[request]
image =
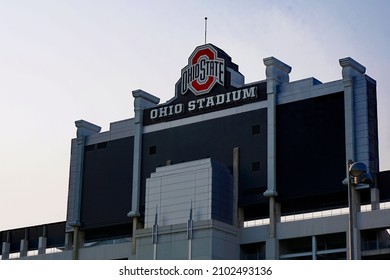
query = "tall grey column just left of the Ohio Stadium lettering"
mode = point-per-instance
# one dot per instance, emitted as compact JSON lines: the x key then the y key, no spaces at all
{"x":142,"y":100}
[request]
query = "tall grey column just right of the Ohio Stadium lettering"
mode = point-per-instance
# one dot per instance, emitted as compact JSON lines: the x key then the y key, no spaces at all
{"x":277,"y":73}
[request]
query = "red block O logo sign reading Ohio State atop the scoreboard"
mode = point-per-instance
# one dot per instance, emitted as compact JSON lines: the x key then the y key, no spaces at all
{"x":204,"y":70}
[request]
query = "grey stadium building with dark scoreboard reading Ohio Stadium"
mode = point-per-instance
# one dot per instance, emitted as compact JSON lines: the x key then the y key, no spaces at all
{"x":227,"y":170}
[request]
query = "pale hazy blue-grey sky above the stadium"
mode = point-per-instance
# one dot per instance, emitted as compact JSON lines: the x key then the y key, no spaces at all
{"x":62,"y":61}
